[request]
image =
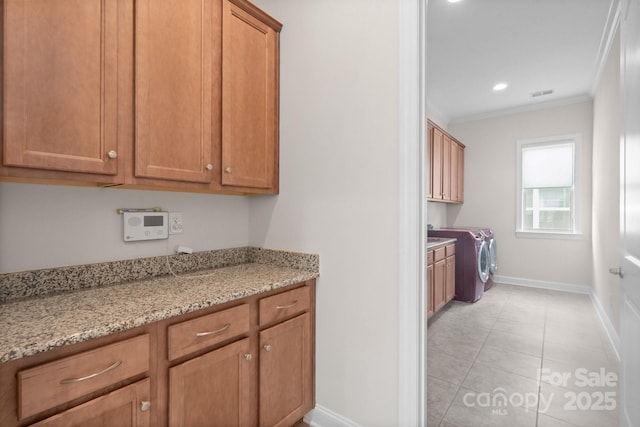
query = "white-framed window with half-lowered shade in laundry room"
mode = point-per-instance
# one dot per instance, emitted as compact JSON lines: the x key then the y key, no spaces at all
{"x":548,"y":186}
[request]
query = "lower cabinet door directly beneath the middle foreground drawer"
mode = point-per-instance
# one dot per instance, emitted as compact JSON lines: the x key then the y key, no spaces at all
{"x":212,"y":389}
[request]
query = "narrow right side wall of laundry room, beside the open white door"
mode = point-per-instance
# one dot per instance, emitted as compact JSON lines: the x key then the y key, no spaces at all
{"x":606,"y":186}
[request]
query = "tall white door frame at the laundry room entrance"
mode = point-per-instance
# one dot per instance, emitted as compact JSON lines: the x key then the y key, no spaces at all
{"x":412,"y":310}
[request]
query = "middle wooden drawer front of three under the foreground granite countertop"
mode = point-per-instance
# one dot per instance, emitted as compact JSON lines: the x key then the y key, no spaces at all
{"x":202,"y":332}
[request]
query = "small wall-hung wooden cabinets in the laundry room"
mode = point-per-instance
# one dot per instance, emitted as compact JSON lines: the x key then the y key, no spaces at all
{"x":446,"y":166}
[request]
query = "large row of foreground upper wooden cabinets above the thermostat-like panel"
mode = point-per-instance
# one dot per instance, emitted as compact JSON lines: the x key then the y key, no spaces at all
{"x":167,"y":95}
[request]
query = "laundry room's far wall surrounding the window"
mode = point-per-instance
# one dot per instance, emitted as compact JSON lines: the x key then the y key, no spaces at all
{"x":490,"y":192}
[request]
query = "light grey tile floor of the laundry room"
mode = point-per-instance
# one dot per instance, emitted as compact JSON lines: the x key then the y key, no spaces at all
{"x":521,"y":357}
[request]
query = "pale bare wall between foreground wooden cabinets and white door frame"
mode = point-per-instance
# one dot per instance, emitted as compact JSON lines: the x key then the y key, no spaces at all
{"x":339,"y":192}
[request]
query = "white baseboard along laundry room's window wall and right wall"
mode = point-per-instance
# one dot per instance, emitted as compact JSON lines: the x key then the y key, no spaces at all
{"x":570,"y":287}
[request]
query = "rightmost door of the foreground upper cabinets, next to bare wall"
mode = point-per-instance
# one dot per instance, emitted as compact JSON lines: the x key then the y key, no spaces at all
{"x":249,"y":97}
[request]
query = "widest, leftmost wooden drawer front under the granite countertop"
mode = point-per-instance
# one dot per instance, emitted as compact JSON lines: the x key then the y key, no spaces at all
{"x":46,"y":386}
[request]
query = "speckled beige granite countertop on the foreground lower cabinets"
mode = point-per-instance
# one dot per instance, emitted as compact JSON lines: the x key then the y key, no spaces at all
{"x":39,"y":323}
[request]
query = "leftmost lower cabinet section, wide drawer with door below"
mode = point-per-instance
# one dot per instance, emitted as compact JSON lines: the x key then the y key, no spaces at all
{"x":106,"y":382}
